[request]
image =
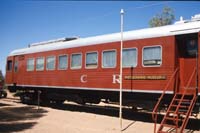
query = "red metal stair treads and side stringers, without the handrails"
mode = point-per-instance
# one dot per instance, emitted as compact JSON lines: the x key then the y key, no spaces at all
{"x":178,"y":113}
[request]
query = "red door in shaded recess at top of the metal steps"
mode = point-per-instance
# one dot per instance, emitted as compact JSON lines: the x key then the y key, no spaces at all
{"x":187,"y":58}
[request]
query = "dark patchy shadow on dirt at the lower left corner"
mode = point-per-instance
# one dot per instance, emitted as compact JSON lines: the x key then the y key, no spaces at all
{"x":12,"y":119}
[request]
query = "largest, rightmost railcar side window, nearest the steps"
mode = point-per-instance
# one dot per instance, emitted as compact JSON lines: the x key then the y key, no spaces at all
{"x":152,"y":56}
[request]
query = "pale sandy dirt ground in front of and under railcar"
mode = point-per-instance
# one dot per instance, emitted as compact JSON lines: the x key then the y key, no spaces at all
{"x":73,"y":118}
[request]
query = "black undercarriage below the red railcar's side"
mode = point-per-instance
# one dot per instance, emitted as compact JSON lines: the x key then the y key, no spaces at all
{"x":134,"y":100}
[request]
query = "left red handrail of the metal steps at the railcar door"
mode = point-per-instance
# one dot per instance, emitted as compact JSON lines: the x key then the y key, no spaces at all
{"x":154,"y":113}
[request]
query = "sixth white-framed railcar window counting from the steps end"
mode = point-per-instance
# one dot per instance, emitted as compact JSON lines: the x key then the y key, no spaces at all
{"x":62,"y":62}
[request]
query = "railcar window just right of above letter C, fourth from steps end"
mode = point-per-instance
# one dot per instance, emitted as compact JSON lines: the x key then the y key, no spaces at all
{"x":91,"y":60}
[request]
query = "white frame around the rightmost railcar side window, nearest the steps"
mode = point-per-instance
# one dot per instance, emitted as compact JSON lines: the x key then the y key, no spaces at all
{"x":152,"y":46}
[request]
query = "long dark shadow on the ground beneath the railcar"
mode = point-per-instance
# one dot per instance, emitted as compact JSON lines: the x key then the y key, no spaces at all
{"x":128,"y":114}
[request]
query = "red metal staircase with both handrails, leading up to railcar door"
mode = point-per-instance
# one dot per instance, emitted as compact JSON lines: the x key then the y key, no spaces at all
{"x":179,"y":110}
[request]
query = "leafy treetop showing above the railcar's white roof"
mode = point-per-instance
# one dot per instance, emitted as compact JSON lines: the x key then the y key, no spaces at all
{"x":165,"y":18}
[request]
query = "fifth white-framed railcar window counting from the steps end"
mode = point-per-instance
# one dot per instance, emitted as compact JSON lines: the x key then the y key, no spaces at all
{"x":76,"y":61}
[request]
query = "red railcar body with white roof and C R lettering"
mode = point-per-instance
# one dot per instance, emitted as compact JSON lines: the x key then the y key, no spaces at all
{"x":87,"y":69}
